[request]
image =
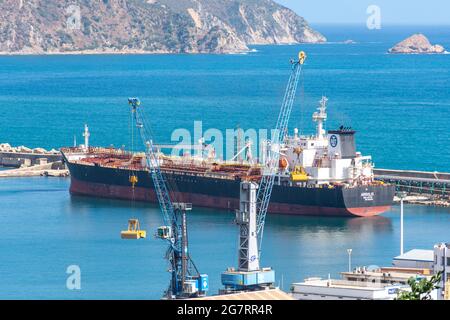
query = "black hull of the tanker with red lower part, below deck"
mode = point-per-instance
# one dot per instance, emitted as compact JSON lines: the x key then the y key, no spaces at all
{"x":223,"y":193}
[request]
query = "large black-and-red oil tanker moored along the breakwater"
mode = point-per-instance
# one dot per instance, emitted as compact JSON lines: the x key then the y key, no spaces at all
{"x":318,"y":175}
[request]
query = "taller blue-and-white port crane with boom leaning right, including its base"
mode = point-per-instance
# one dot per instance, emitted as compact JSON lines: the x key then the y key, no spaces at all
{"x":254,"y":202}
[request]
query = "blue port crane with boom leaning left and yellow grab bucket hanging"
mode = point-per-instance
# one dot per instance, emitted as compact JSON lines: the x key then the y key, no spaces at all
{"x":186,"y":281}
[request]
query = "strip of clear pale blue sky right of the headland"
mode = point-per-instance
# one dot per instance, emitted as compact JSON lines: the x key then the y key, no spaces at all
{"x":417,"y":12}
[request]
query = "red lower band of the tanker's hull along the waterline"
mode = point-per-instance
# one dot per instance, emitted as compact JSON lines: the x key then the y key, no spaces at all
{"x":201,"y":200}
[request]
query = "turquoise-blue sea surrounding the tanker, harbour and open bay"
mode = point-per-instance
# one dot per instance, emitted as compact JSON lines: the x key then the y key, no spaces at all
{"x":400,"y":106}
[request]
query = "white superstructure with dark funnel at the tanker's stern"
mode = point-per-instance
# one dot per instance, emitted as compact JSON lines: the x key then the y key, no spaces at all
{"x":326,"y":157}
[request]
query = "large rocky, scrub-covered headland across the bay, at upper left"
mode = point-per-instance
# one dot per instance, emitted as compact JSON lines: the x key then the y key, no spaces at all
{"x":147,"y":26}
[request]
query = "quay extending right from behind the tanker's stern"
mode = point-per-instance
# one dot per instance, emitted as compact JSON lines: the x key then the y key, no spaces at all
{"x":422,"y":187}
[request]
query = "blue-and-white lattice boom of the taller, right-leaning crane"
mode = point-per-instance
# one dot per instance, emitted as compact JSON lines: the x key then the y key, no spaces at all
{"x":271,"y":165}
